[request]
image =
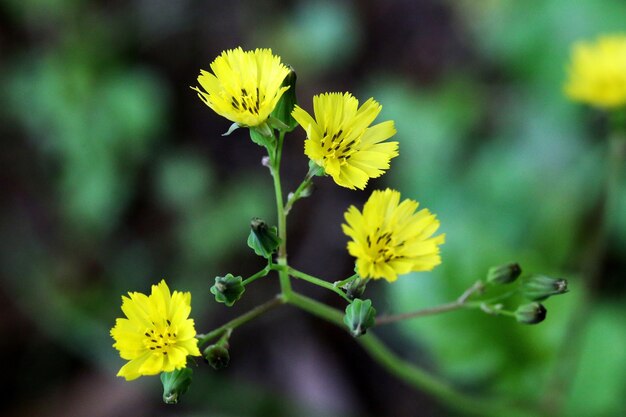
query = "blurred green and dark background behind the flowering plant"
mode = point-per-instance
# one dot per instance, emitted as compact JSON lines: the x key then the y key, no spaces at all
{"x":114,"y":175}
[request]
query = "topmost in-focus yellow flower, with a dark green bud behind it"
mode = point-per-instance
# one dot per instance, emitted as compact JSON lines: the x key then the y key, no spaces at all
{"x":245,"y":86}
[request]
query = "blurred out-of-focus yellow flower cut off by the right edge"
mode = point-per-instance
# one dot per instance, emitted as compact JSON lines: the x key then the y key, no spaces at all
{"x":597,"y":72}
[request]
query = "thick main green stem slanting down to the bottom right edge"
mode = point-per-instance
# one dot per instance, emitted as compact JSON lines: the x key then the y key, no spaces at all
{"x":408,"y":372}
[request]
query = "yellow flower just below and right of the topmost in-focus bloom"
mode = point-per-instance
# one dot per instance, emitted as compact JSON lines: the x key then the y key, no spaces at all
{"x":340,"y":140}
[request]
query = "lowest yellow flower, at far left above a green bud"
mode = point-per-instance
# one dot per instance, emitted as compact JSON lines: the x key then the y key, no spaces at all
{"x":158,"y":334}
